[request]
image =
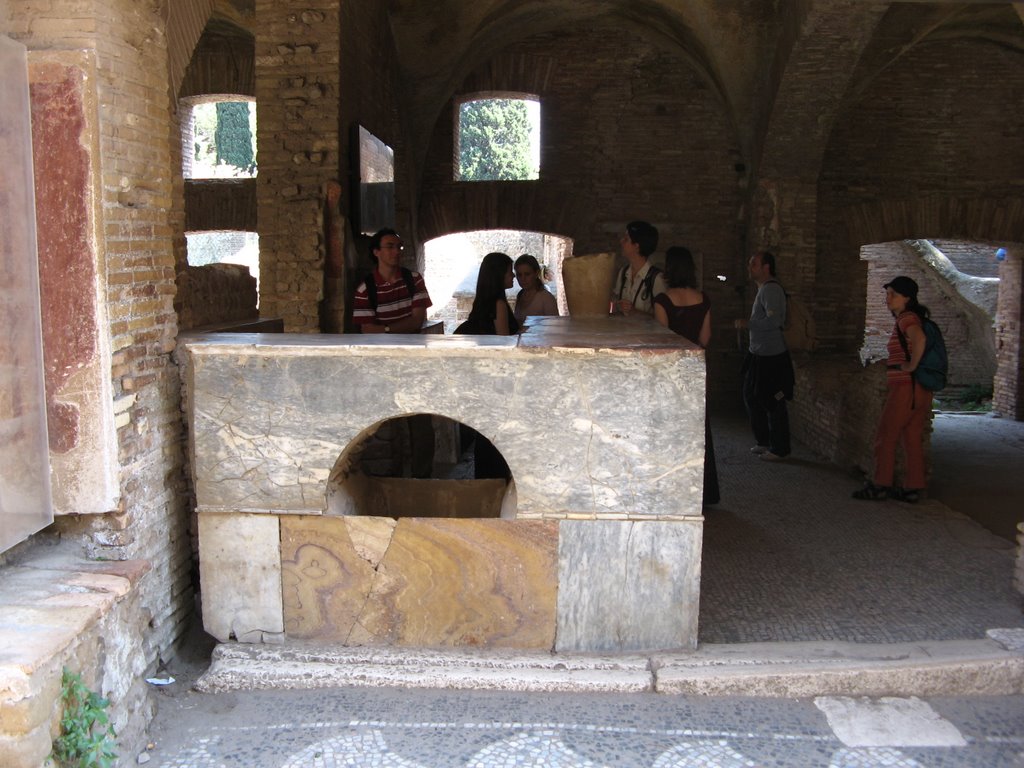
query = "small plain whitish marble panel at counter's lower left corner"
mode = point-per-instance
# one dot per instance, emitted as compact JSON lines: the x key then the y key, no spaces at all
{"x":240,"y":571}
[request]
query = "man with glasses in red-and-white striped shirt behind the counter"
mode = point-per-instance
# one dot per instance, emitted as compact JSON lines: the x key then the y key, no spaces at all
{"x":394,"y":301}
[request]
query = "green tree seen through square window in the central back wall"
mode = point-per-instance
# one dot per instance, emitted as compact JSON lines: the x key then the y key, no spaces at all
{"x":495,"y":141}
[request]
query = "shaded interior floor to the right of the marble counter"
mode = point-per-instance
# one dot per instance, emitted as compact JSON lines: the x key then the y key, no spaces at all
{"x":790,"y":557}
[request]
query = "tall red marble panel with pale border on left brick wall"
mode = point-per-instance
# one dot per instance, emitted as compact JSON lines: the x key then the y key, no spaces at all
{"x":73,"y":283}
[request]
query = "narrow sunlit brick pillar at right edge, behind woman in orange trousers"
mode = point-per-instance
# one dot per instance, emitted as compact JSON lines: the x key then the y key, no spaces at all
{"x":1008,"y":398}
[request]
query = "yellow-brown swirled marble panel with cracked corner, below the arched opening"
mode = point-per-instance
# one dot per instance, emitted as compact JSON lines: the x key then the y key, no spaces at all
{"x":416,"y":582}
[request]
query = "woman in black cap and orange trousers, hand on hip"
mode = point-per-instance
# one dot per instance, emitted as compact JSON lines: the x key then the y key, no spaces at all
{"x":908,"y":404}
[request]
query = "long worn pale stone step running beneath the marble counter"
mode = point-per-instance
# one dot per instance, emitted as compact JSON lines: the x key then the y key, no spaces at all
{"x":993,"y":667}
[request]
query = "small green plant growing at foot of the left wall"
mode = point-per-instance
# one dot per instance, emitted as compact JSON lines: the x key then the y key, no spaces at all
{"x":87,"y":739}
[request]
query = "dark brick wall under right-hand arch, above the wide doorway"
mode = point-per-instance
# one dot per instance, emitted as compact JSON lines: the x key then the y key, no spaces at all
{"x":910,"y":148}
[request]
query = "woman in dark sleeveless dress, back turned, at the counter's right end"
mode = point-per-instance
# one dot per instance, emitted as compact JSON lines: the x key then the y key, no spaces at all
{"x":687,"y":310}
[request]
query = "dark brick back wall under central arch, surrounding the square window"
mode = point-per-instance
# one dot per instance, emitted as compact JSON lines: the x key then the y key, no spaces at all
{"x":628,"y":132}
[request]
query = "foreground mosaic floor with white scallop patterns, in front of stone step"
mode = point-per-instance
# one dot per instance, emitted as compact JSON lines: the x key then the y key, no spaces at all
{"x":309,"y":730}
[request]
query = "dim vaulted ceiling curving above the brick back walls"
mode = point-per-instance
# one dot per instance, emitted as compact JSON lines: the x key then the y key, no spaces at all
{"x":775,"y":64}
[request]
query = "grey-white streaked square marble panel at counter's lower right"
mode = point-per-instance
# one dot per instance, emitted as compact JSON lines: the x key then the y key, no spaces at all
{"x":628,"y":586}
